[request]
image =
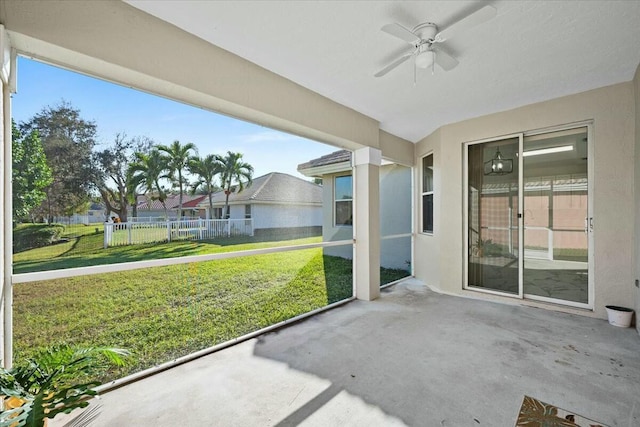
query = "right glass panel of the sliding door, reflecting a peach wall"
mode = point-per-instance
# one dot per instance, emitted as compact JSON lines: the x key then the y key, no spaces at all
{"x":555,"y":216}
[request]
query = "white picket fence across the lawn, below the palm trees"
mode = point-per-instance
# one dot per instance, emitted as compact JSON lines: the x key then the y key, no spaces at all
{"x":132,"y":233}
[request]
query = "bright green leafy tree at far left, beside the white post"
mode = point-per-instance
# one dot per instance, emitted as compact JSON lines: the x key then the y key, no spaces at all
{"x":30,"y":172}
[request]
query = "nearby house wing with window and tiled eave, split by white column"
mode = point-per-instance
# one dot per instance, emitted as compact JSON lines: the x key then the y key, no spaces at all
{"x":335,"y":170}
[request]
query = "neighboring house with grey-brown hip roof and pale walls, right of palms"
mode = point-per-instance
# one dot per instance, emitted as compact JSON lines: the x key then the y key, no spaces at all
{"x":275,"y":201}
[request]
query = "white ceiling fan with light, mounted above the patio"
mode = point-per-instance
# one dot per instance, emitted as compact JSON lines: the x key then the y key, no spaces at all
{"x":425,"y":39}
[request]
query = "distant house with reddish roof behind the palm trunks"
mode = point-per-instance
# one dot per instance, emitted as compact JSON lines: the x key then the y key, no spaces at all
{"x":150,"y":208}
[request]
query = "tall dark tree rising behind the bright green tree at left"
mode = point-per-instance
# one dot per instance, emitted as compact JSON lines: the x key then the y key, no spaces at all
{"x":68,"y":141}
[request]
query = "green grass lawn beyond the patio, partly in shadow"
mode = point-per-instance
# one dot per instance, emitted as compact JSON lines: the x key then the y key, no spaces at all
{"x":166,"y":312}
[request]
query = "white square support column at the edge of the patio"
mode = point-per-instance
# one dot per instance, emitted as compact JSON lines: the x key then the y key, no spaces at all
{"x":367,"y":223}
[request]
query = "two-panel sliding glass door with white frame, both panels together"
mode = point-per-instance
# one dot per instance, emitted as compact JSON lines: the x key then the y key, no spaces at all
{"x":528,"y":223}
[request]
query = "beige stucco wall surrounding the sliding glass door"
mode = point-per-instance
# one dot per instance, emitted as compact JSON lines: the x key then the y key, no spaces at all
{"x":612,"y":111}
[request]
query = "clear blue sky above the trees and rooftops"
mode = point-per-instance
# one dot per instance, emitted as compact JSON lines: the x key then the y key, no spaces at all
{"x":117,"y":109}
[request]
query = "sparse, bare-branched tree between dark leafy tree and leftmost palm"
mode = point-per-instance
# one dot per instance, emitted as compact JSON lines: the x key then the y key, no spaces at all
{"x":112,"y":178}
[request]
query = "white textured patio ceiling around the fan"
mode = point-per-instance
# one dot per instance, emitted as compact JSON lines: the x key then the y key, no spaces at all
{"x":532,"y":51}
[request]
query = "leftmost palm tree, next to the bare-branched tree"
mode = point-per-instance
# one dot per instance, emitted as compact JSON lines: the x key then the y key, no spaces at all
{"x":146,"y":172}
